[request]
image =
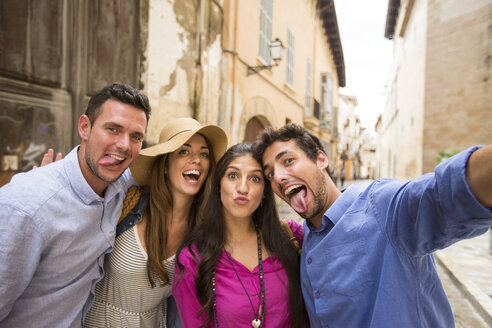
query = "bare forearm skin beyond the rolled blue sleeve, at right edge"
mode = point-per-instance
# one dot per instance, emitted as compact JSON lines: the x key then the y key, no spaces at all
{"x":479,"y":175}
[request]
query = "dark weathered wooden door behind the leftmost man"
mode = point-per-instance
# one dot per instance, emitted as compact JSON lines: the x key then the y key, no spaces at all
{"x":54,"y":54}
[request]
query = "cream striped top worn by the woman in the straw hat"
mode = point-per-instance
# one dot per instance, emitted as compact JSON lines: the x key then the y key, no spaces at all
{"x":124,"y":297}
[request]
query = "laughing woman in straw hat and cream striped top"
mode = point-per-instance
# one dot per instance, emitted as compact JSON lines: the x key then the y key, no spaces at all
{"x":155,"y":219}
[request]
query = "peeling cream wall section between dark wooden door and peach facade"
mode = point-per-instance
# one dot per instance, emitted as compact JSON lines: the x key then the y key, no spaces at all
{"x":182,"y":64}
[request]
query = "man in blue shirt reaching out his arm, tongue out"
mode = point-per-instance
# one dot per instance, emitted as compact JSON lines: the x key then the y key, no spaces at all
{"x":367,"y":258}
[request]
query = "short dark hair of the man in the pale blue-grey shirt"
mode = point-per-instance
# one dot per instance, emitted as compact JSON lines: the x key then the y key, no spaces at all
{"x":120,"y":92}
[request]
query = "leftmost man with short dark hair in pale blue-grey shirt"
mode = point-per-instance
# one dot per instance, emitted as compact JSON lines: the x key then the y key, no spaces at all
{"x":58,"y":221}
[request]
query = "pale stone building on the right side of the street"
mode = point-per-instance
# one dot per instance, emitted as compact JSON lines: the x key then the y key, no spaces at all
{"x":439,"y":89}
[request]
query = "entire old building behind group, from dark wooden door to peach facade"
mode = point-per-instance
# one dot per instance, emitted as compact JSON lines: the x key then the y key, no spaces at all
{"x":208,"y":59}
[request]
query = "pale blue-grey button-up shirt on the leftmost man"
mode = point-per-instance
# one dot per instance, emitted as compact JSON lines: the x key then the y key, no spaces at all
{"x":54,"y":232}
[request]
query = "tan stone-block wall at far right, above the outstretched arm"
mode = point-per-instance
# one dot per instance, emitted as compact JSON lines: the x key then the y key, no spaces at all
{"x":458,"y":100}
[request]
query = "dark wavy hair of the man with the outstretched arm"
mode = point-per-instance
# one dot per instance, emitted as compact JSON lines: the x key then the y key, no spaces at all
{"x":305,"y":140}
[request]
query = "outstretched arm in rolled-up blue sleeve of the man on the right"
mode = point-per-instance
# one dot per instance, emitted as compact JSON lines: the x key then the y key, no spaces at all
{"x":437,"y":210}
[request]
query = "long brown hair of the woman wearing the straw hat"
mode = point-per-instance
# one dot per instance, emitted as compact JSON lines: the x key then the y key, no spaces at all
{"x":161,"y":204}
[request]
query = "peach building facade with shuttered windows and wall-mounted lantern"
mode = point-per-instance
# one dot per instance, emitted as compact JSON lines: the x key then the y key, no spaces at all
{"x":302,"y":87}
